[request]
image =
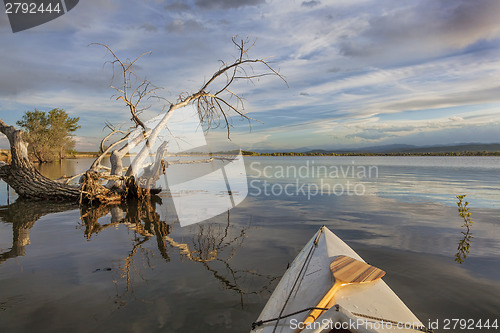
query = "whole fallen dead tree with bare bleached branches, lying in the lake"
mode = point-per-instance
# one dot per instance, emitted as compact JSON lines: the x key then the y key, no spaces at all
{"x":215,"y":103}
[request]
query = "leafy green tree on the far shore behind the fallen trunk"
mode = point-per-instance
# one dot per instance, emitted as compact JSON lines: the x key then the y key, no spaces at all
{"x":49,"y":135}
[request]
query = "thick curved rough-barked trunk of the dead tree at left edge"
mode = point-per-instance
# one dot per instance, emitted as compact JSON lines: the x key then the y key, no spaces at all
{"x":24,"y":178}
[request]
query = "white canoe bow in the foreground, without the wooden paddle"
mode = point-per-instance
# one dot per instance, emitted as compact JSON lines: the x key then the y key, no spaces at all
{"x":311,"y":271}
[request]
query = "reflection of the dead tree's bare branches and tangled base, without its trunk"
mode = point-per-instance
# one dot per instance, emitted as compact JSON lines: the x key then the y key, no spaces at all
{"x":214,"y":246}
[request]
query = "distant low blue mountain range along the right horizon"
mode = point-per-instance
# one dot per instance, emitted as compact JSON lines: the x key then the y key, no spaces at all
{"x":400,"y":148}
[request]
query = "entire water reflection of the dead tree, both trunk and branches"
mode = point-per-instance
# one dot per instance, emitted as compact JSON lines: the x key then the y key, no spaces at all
{"x":211,"y":245}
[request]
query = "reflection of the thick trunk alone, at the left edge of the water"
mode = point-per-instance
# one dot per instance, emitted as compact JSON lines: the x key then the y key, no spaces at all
{"x":23,"y":214}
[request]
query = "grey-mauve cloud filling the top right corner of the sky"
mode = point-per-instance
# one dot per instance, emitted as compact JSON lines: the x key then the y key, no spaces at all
{"x":425,"y":28}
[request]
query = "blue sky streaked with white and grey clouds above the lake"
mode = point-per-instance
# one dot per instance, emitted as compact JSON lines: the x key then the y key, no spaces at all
{"x":359,"y":72}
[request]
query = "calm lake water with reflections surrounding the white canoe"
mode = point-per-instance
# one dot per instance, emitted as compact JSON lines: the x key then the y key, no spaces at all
{"x":134,"y":269}
